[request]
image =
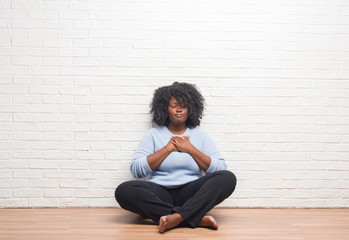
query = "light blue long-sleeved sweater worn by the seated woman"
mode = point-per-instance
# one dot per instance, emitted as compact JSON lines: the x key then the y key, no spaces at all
{"x":178,"y":168}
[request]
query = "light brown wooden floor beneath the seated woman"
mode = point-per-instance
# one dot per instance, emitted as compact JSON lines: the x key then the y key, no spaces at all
{"x":115,"y":223}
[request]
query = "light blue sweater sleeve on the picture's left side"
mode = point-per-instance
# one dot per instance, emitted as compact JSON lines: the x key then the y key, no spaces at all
{"x":139,"y":165}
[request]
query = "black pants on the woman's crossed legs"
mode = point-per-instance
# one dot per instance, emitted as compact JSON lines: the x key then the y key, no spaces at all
{"x":192,"y":201}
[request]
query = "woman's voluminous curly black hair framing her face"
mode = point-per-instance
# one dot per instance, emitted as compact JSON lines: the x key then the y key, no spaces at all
{"x":186,"y":94}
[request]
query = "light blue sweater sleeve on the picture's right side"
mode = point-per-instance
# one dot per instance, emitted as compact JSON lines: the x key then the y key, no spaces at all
{"x":217,"y":161}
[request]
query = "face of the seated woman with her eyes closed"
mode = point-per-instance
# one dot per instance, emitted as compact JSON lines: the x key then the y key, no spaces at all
{"x":177,"y":113}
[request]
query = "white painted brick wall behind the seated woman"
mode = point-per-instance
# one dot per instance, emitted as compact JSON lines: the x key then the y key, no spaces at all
{"x":76,"y":79}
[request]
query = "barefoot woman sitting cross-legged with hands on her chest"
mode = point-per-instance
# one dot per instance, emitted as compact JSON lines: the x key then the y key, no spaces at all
{"x":184,"y":173}
